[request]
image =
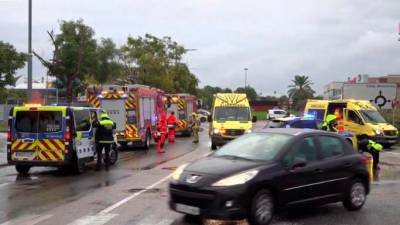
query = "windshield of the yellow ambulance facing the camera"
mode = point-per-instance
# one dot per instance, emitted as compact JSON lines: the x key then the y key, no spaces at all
{"x":232,"y":114}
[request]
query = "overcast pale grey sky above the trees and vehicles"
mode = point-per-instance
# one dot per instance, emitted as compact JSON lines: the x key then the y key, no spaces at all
{"x":326,"y":40}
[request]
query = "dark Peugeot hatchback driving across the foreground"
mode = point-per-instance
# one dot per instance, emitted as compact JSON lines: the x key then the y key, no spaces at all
{"x":260,"y":173}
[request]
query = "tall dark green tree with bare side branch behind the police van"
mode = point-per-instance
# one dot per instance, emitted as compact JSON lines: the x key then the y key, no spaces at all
{"x":74,"y":55}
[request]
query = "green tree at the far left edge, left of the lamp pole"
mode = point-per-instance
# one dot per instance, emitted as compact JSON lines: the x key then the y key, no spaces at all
{"x":10,"y":62}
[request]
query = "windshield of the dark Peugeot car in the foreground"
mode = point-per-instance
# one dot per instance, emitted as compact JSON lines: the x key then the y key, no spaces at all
{"x":256,"y":146}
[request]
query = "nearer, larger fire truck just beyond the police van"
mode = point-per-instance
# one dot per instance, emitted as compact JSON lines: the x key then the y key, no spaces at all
{"x":134,"y":108}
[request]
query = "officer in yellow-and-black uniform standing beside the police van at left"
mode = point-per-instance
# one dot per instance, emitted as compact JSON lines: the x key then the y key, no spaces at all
{"x":104,"y":138}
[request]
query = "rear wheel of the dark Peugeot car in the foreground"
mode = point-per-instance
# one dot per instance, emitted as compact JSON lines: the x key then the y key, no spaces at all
{"x":356,"y":196}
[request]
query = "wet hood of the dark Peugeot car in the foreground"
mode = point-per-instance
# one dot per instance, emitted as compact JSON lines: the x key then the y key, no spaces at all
{"x":220,"y":166}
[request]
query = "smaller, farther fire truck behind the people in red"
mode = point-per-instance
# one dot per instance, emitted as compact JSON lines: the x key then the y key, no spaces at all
{"x":183,"y":105}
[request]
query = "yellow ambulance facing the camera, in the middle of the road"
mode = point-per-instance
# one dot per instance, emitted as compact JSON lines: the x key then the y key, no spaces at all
{"x":230,"y":117}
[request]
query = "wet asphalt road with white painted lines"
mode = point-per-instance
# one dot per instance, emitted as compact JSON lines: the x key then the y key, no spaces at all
{"x":134,"y":192}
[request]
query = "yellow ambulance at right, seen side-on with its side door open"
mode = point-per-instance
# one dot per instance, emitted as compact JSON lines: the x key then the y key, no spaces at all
{"x":359,"y":117}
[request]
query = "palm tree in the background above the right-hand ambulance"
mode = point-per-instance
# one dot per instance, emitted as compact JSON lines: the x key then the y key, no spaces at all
{"x":301,"y":87}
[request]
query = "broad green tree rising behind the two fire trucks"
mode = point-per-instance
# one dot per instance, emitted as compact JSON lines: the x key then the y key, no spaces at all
{"x":157,"y":62}
